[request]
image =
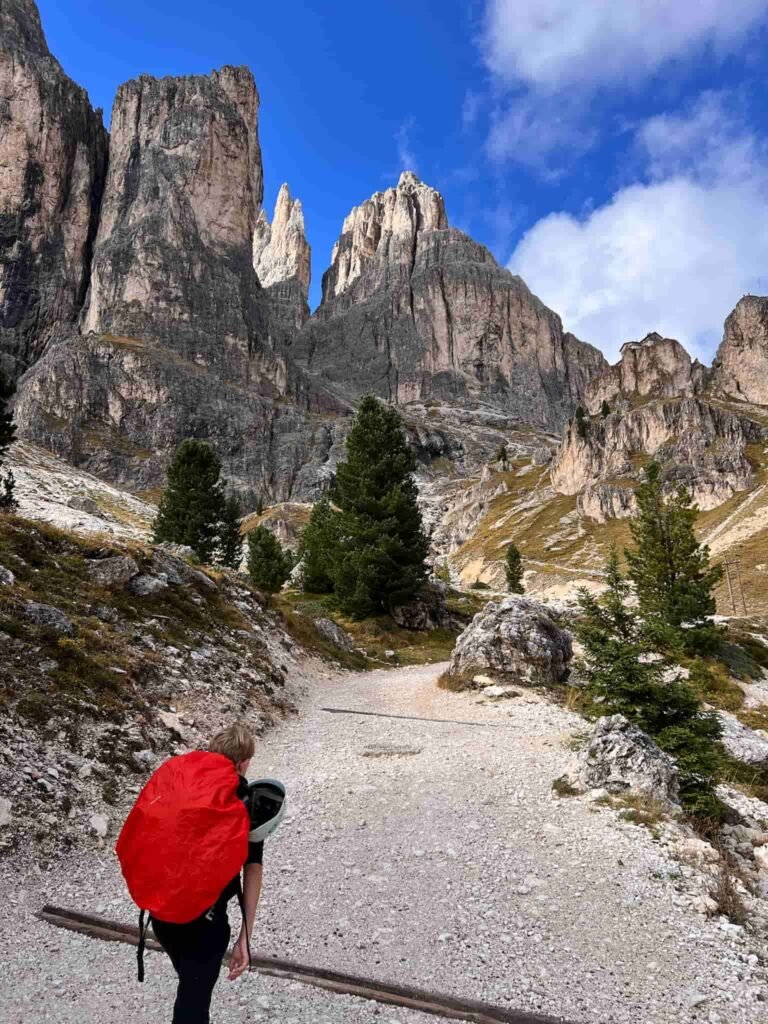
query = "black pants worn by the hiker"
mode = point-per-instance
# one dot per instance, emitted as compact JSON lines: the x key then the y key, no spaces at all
{"x":196,"y":951}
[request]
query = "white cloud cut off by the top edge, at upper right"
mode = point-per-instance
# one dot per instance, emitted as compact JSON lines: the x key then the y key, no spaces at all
{"x":551,"y":45}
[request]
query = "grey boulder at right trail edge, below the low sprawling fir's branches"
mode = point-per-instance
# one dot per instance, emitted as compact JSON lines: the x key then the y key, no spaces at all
{"x":620,"y":757}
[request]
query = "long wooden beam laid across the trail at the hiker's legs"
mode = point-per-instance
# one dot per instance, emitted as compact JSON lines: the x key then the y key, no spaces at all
{"x":388,"y":993}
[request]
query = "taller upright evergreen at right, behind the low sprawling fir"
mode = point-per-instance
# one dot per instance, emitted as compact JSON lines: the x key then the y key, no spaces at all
{"x":670,"y":569}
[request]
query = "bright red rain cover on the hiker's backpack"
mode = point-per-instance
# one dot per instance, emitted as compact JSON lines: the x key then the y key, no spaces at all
{"x":187,"y":837}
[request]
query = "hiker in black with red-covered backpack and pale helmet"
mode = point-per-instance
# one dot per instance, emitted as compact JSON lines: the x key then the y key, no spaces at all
{"x":195,"y":826}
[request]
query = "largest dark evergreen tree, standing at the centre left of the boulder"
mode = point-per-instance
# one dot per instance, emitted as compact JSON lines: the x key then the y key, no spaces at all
{"x":382,"y":545}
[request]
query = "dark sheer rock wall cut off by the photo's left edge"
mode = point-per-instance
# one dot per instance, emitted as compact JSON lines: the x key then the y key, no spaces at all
{"x":53,"y":165}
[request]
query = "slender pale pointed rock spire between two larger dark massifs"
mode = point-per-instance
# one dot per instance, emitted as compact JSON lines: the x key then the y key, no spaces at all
{"x":281,"y":250}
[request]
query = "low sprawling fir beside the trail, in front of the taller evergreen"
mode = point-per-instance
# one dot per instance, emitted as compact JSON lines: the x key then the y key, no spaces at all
{"x":627,"y":676}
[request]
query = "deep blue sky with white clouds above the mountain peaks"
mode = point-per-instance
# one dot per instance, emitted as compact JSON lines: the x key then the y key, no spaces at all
{"x":615,"y":155}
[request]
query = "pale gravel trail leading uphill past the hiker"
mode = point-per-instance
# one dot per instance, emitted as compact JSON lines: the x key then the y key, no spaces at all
{"x":430,"y":854}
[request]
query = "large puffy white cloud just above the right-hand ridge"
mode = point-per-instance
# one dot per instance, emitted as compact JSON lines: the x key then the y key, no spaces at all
{"x":672,"y":255}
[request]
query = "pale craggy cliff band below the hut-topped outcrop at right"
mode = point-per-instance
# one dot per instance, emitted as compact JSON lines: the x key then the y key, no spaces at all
{"x":699,"y":445}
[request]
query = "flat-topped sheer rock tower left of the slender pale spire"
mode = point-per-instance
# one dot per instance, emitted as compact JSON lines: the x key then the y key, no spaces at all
{"x":173,"y":260}
